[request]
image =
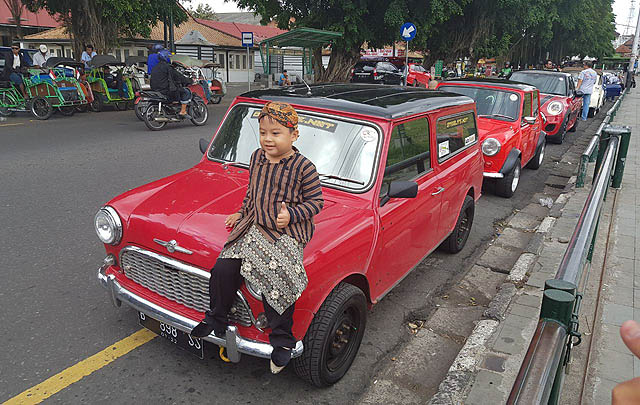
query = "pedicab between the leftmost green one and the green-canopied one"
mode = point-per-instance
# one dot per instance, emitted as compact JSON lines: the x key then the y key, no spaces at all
{"x":66,"y":74}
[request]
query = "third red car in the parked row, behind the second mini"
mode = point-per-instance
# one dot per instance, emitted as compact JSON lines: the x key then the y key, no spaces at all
{"x":560,"y":103}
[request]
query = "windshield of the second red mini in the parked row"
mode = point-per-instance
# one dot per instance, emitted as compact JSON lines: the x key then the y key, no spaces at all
{"x":499,"y":104}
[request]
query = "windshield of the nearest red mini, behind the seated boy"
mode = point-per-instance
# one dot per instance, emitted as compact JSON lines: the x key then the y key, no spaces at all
{"x":337,"y":147}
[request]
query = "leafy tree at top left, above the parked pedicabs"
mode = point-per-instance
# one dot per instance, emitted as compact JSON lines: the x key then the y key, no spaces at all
{"x":104,"y":23}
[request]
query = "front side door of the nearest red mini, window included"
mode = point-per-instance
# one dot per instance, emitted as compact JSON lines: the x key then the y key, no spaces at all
{"x":408,"y":226}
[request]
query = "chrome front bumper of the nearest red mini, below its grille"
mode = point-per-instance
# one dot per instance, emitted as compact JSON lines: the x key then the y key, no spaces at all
{"x":235,"y":344}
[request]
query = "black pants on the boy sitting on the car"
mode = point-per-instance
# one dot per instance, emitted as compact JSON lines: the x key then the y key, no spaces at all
{"x":223,"y":284}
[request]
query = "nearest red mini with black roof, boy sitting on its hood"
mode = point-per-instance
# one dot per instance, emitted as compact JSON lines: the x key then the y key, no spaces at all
{"x":401,"y":171}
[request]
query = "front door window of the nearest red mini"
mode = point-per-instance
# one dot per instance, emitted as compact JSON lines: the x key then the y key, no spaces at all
{"x":408,"y":155}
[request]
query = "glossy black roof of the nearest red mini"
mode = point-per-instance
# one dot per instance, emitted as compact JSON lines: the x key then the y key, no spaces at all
{"x":388,"y":102}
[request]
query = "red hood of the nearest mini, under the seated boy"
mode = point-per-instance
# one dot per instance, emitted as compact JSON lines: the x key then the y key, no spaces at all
{"x":191,"y":207}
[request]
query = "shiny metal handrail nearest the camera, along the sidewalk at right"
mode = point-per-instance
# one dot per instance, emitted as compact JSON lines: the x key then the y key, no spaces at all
{"x":535,"y":378}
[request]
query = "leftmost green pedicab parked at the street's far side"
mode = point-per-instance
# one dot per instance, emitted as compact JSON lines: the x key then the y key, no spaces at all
{"x":45,"y":91}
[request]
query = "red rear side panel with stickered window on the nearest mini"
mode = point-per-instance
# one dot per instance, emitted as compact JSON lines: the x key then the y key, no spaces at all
{"x":456,"y":153}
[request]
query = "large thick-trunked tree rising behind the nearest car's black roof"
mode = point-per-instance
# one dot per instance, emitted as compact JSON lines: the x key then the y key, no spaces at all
{"x":376,"y":22}
